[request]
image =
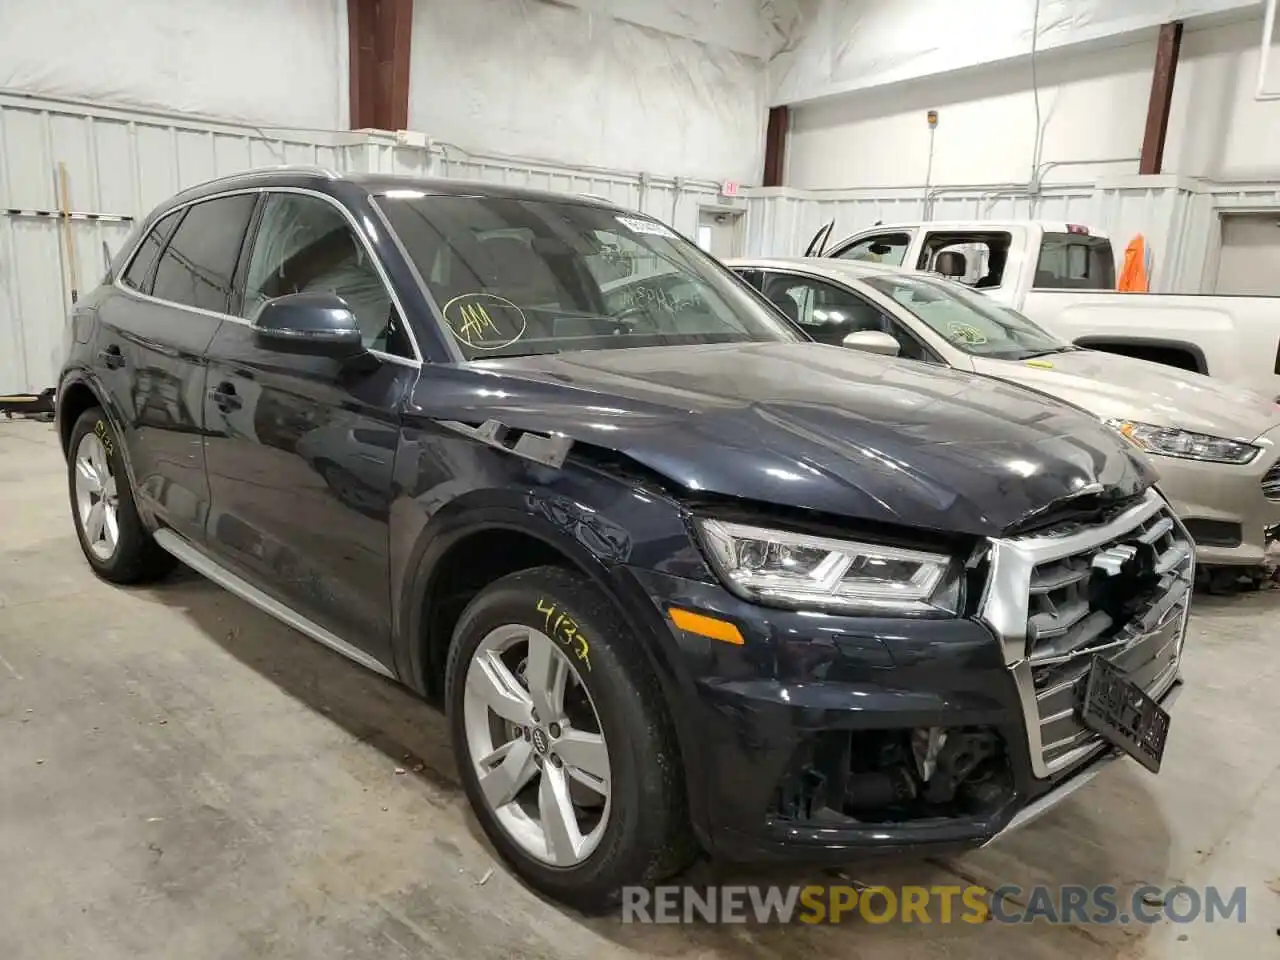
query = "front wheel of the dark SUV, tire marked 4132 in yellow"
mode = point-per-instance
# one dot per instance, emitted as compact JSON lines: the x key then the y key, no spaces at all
{"x":644,"y":834}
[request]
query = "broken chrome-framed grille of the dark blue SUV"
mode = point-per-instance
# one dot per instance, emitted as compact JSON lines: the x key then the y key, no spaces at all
{"x":1052,"y":623}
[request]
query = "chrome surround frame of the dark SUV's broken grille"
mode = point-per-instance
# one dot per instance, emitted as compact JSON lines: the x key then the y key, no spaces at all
{"x":1004,"y":607}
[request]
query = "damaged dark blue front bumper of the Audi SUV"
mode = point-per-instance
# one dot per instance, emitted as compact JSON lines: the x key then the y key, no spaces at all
{"x":767,"y":714}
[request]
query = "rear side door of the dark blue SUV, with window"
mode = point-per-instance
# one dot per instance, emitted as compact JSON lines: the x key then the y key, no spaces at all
{"x":171,"y":303}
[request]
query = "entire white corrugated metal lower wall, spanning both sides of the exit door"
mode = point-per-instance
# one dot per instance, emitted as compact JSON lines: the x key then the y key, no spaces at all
{"x":122,"y":163}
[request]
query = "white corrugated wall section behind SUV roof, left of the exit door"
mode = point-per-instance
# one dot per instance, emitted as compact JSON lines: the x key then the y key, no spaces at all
{"x":124,"y":163}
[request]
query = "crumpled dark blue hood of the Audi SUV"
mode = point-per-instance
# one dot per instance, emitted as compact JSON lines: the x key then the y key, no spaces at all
{"x":810,"y":427}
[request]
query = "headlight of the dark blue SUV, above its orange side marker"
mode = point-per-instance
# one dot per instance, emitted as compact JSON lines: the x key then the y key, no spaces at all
{"x":784,"y":569}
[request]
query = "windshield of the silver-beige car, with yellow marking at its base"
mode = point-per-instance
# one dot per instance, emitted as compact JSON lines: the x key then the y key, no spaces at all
{"x":971,"y":322}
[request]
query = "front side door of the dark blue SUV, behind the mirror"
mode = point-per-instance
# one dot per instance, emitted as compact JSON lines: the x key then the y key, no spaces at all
{"x":301,"y":449}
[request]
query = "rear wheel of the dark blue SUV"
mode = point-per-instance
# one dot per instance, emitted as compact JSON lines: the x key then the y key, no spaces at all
{"x":134,"y":556}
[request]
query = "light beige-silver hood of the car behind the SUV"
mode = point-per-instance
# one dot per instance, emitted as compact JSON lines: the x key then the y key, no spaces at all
{"x":1110,"y":386}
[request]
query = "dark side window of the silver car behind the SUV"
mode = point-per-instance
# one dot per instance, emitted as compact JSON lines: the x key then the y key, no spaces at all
{"x":829,"y":313}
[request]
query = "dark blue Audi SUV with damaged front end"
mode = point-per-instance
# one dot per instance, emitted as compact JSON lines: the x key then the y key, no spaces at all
{"x":682,"y":578}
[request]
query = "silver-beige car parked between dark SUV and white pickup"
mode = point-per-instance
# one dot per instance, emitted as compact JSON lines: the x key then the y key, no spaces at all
{"x":1217,"y":447}
